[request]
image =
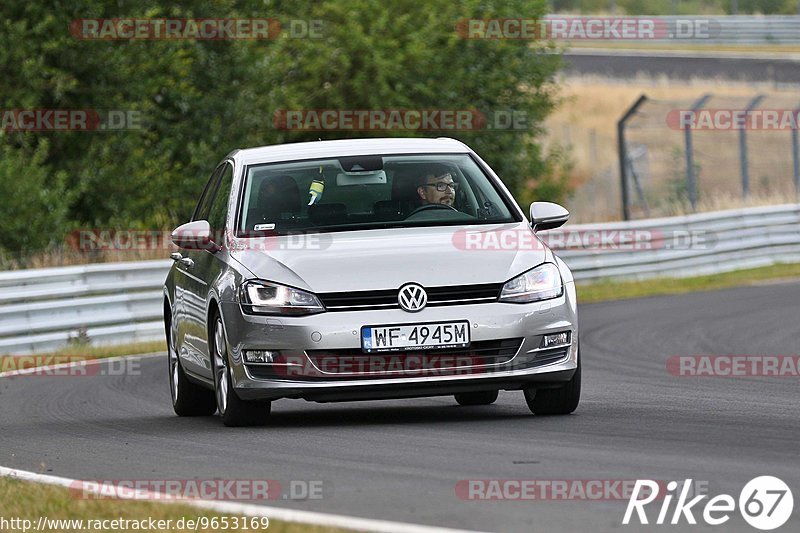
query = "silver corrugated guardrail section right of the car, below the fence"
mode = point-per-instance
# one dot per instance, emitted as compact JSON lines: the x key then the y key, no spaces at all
{"x":692,"y":245}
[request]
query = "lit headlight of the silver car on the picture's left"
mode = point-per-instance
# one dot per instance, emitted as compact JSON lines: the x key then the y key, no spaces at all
{"x":266,"y":298}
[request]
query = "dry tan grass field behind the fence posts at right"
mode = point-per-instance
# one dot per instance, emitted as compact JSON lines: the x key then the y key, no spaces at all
{"x":586,"y":121}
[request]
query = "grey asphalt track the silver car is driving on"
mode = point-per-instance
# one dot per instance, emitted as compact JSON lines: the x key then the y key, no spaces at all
{"x":401,"y":460}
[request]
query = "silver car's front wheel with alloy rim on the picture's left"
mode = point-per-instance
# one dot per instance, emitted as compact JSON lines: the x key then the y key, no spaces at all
{"x":234,"y":411}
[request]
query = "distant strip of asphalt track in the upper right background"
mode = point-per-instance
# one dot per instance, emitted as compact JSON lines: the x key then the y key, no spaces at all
{"x":776,"y":68}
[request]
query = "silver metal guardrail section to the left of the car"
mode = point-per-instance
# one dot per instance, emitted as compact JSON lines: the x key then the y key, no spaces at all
{"x":41,"y":309}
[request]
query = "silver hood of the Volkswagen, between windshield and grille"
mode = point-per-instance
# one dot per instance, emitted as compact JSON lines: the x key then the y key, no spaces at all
{"x":388,"y":258}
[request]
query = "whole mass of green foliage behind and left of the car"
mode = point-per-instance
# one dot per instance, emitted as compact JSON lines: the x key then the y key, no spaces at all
{"x":198,"y":100}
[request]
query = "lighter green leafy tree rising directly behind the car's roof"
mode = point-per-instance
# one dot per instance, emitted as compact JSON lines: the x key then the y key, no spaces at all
{"x":404,"y":54}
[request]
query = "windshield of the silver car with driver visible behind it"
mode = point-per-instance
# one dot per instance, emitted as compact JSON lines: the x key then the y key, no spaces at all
{"x":366,"y":192}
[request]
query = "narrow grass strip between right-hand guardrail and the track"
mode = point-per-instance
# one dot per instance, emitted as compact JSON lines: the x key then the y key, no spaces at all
{"x":620,"y":290}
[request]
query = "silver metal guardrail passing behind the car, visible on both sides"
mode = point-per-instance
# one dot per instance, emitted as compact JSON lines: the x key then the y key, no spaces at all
{"x":121,"y":302}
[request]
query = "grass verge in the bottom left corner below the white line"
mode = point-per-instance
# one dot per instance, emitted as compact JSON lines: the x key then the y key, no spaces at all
{"x":29,"y":501}
